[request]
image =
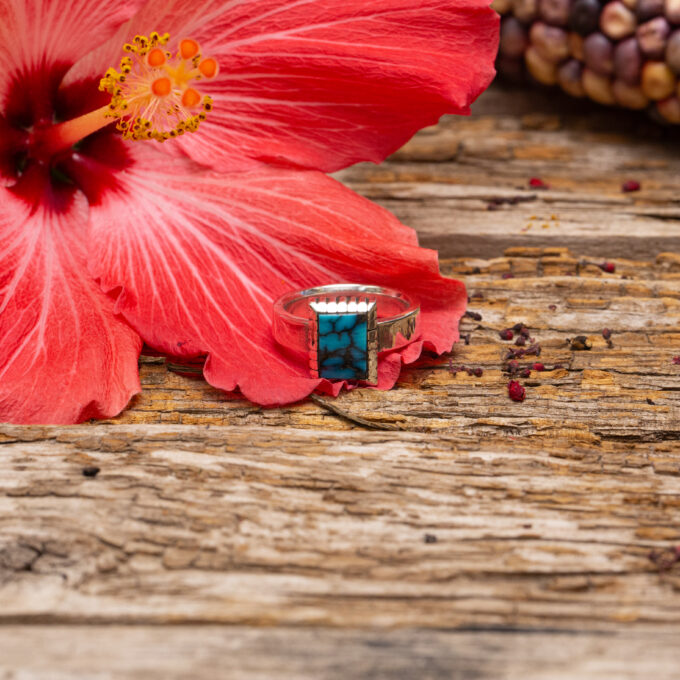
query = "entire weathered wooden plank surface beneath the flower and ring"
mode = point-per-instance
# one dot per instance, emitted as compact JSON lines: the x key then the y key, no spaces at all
{"x":439,"y":530}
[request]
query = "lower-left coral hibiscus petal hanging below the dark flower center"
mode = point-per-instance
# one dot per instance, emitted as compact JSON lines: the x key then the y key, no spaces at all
{"x":64,"y":357}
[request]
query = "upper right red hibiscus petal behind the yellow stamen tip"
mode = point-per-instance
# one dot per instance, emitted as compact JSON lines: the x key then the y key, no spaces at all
{"x":325,"y":83}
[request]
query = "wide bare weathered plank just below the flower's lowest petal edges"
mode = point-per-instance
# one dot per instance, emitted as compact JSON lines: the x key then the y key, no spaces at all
{"x":269,"y":526}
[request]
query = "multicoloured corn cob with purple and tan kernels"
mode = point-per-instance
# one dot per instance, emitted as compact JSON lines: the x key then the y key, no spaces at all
{"x":618,"y":52}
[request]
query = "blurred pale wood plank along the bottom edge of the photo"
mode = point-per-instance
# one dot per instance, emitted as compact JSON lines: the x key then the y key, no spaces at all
{"x":238,"y":653}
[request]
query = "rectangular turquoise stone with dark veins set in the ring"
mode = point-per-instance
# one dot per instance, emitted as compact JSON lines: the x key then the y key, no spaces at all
{"x":343,"y":346}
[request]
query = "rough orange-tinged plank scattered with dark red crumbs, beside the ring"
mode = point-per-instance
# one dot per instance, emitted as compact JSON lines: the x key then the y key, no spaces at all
{"x":599,"y":395}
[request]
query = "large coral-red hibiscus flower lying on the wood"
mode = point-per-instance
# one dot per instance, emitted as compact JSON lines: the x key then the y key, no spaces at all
{"x":109,"y":239}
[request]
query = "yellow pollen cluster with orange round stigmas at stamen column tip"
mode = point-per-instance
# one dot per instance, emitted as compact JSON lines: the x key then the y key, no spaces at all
{"x":152,"y":92}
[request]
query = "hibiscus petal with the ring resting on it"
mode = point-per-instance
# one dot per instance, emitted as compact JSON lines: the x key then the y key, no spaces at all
{"x":198,"y":258}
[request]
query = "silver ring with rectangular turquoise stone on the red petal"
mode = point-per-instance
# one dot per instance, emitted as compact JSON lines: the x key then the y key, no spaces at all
{"x":341,"y":328}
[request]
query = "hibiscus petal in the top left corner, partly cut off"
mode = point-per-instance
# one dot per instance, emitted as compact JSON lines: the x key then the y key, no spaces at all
{"x":41,"y":39}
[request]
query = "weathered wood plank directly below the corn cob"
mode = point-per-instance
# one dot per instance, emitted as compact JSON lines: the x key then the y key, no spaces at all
{"x":442,"y":181}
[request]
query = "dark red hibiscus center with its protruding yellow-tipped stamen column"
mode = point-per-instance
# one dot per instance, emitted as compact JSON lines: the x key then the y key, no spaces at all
{"x":55,"y":132}
